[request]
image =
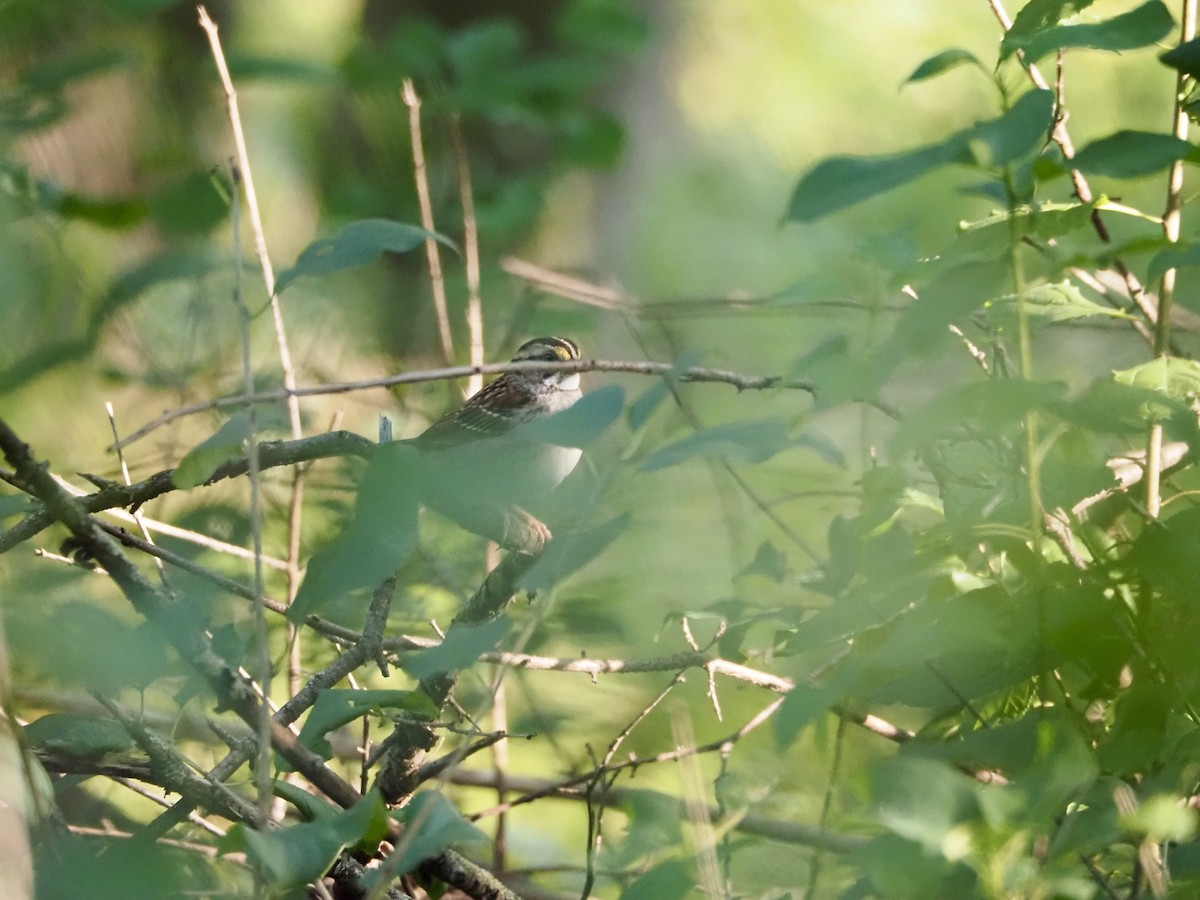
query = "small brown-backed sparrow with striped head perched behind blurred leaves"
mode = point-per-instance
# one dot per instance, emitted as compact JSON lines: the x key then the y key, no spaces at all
{"x":481,"y":466}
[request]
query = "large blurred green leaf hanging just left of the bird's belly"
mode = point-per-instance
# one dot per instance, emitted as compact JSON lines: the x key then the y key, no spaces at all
{"x":379,"y":539}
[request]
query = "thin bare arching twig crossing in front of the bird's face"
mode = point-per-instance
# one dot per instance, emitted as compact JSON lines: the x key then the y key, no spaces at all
{"x":693,"y":374}
